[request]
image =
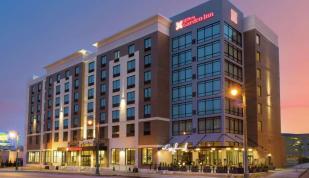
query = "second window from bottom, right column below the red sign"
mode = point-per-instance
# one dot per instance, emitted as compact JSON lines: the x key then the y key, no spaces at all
{"x":209,"y":106}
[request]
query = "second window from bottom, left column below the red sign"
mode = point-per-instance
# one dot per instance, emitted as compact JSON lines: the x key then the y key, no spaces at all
{"x":181,"y":110}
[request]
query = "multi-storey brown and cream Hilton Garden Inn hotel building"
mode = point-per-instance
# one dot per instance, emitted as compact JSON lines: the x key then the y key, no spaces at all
{"x":158,"y":92}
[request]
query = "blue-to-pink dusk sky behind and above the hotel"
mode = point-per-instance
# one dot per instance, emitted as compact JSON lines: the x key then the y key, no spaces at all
{"x":34,"y":33}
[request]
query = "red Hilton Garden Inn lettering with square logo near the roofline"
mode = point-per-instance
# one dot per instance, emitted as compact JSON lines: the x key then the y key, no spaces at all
{"x":193,"y":20}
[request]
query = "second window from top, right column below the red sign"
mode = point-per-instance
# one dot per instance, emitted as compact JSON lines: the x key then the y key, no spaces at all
{"x":209,"y":50}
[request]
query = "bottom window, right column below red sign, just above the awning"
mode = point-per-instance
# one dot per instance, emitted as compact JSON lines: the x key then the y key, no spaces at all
{"x":209,"y":125}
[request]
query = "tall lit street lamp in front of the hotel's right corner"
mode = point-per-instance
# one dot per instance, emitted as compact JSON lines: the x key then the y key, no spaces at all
{"x":234,"y":92}
